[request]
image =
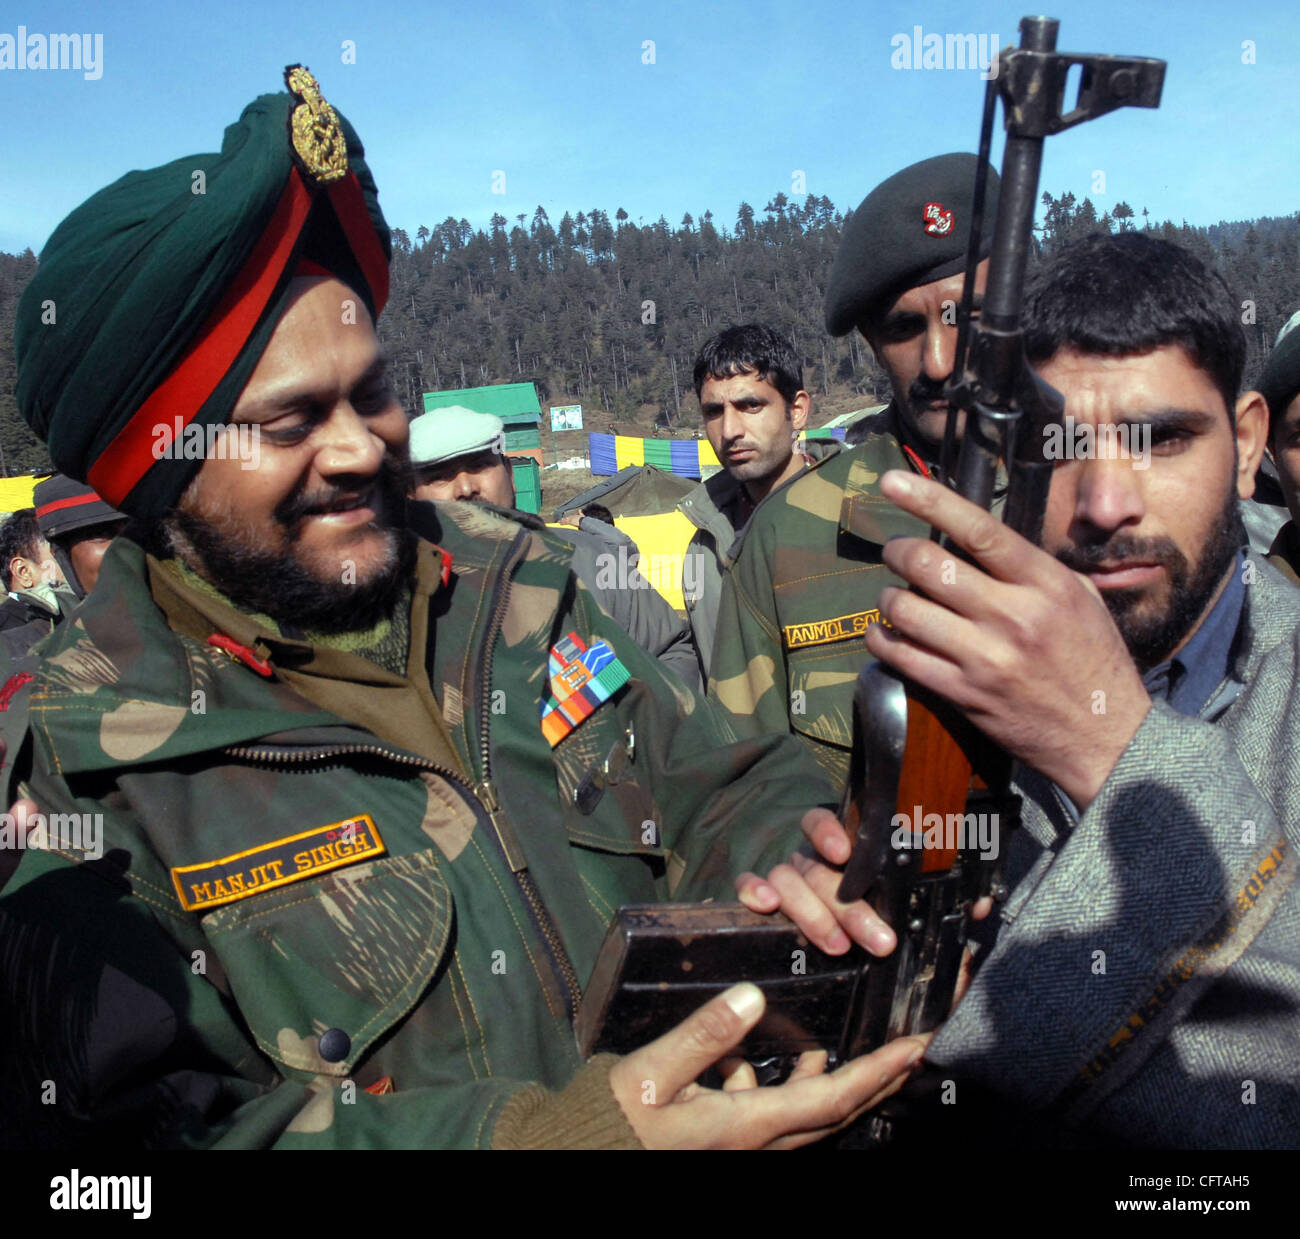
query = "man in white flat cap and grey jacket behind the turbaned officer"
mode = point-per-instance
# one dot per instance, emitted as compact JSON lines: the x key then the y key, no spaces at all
{"x":458,"y":454}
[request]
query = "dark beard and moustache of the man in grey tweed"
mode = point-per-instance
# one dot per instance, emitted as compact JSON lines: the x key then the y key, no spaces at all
{"x":1151,"y":633}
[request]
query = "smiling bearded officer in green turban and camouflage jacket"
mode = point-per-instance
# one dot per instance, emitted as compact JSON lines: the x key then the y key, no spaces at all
{"x":366,"y":796}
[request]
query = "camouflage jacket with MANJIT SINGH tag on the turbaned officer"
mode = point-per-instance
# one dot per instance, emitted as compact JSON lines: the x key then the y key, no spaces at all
{"x":259,"y":925}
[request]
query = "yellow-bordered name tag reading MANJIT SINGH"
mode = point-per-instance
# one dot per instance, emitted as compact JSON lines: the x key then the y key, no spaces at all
{"x":213,"y":883}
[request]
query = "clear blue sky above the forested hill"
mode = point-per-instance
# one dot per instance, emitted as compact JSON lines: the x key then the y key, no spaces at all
{"x":739,"y":99}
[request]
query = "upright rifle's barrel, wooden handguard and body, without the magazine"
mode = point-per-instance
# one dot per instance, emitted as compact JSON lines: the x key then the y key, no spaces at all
{"x":929,"y":798}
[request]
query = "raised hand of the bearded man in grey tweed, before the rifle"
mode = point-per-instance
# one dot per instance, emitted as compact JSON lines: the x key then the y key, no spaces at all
{"x":1021,"y":644}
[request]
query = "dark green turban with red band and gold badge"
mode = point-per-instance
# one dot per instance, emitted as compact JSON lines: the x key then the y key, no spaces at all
{"x":155,"y":300}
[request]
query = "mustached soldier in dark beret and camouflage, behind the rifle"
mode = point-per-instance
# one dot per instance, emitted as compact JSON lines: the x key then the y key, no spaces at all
{"x":807,"y":582}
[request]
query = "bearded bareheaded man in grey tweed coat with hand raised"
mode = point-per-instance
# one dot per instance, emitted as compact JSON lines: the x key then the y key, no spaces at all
{"x":1142,"y":984}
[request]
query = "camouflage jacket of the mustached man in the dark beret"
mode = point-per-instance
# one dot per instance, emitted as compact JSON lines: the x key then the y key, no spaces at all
{"x":799,"y":599}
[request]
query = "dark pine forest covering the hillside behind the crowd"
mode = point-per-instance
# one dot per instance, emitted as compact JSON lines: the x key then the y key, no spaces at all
{"x":609,"y":314}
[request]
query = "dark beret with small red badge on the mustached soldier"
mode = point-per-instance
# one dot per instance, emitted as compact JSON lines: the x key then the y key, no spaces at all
{"x":912,"y":229}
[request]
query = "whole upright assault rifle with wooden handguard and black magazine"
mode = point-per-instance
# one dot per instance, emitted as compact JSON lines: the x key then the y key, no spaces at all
{"x":922,"y":779}
